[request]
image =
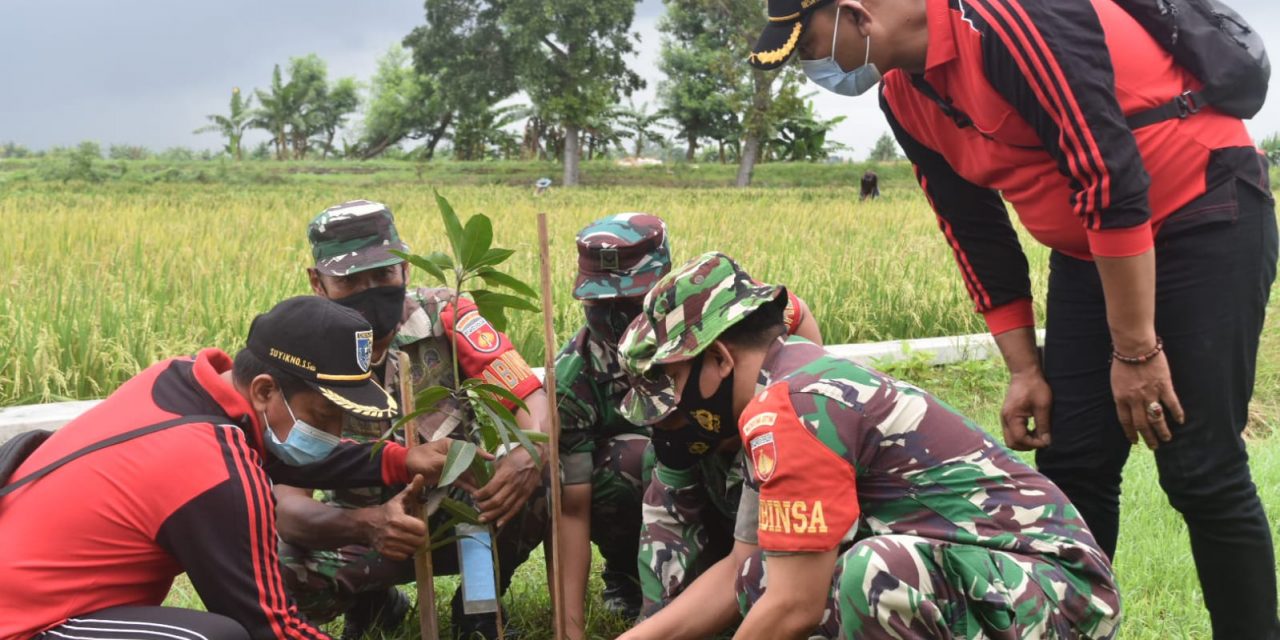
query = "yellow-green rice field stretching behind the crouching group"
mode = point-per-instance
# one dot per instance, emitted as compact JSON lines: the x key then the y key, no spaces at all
{"x":98,"y":282}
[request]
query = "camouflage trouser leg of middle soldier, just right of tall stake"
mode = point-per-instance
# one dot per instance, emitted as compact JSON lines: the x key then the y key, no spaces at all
{"x":616,"y":495}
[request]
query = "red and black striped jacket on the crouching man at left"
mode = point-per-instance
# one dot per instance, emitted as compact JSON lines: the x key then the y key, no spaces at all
{"x":115,"y":528}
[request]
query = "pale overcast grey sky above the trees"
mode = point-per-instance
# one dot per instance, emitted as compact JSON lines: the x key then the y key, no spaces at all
{"x":147,"y":72}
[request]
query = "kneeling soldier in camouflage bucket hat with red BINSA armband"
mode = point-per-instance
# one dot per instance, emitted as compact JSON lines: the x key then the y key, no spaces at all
{"x":881,"y":513}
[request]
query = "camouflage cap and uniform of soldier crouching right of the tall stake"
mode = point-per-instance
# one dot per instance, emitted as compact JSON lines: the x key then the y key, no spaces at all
{"x":620,"y":258}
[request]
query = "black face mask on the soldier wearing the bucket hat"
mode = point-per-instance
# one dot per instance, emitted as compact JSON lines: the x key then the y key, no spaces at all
{"x":711,"y":423}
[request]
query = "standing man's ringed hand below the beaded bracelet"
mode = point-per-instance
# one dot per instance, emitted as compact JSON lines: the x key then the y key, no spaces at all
{"x":1139,"y":390}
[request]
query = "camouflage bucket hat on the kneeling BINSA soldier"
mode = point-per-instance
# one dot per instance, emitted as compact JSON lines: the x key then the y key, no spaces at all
{"x":684,"y":314}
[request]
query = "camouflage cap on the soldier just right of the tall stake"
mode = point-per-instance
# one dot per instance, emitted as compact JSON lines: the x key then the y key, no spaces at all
{"x":621,"y":257}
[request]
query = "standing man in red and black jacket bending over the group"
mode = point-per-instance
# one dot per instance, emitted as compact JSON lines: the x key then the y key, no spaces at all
{"x":1163,"y":236}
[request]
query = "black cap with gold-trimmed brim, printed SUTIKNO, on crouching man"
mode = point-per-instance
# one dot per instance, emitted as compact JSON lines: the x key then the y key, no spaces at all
{"x":327,"y":346}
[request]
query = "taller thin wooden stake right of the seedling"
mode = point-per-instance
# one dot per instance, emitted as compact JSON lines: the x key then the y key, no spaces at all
{"x":554,"y":420}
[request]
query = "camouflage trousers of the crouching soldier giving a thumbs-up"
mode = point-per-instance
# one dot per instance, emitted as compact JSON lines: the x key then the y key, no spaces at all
{"x":326,"y":583}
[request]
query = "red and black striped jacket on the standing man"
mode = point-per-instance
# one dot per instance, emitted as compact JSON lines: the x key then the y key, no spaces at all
{"x":1027,"y":99}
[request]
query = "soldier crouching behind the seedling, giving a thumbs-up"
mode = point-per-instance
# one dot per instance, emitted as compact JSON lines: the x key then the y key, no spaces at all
{"x":345,"y":554}
